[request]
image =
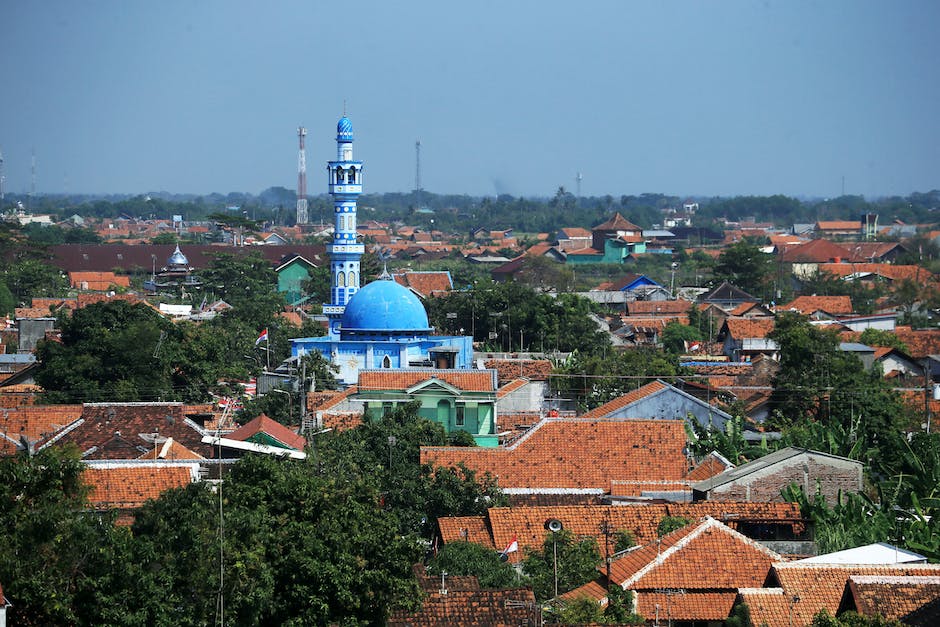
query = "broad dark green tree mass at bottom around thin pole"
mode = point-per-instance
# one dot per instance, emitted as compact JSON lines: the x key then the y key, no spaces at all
{"x":303,"y":544}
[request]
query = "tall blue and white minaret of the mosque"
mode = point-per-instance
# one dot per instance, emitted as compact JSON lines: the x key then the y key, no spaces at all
{"x":345,"y":182}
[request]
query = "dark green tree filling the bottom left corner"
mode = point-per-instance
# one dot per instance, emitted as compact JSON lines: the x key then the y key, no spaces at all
{"x":57,"y":561}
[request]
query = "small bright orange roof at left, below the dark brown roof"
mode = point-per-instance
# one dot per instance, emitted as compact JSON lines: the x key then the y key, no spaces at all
{"x":129,"y":486}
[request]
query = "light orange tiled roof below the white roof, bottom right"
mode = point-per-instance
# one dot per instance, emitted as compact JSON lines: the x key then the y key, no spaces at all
{"x":817,"y":586}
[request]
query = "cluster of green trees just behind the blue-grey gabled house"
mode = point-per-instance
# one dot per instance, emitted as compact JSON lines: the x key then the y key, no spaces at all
{"x":594,"y":379}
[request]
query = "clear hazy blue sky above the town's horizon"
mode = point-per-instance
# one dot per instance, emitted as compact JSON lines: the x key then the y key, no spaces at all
{"x":705,"y":98}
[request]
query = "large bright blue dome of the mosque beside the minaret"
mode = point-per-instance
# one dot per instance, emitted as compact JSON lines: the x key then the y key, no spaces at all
{"x":383,"y":306}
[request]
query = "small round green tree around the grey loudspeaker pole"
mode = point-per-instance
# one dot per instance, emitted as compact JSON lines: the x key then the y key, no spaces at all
{"x":577,"y":559}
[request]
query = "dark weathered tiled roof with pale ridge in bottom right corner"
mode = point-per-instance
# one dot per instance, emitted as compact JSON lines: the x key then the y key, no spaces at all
{"x":895,"y":598}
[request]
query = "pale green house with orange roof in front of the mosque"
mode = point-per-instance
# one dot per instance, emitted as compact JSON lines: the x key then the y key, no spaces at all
{"x":458,"y":400}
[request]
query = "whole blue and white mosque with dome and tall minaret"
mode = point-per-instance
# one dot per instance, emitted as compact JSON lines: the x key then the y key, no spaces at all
{"x":383,"y":324}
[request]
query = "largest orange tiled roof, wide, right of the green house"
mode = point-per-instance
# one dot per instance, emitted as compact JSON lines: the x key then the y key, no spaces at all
{"x":577,"y":453}
